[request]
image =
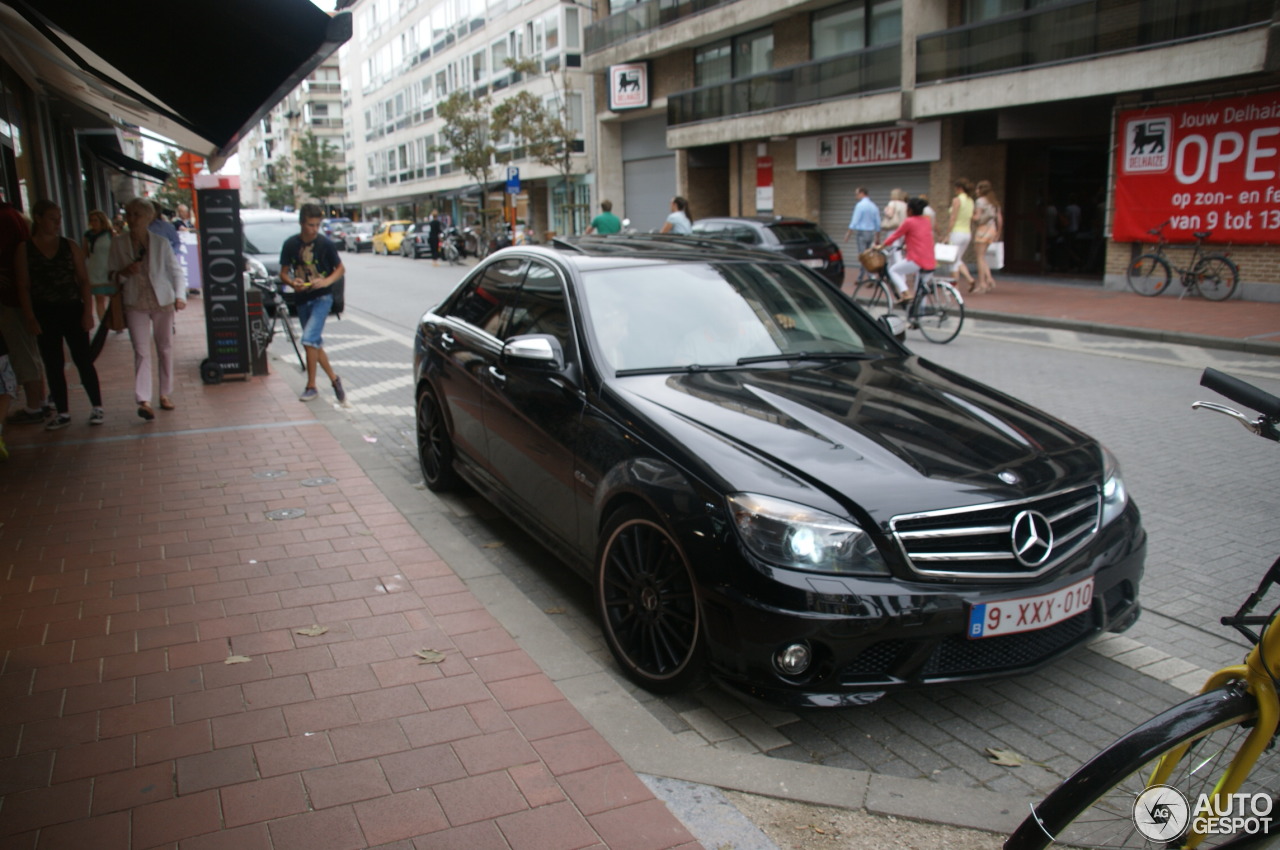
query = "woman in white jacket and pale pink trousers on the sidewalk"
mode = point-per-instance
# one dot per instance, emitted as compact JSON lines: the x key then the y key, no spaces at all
{"x":154,"y":287}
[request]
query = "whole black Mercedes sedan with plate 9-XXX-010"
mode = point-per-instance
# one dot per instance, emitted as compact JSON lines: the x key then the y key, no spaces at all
{"x":758,"y":478}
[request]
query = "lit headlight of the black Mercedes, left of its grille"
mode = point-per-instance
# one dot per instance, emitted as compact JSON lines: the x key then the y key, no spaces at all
{"x":803,"y":538}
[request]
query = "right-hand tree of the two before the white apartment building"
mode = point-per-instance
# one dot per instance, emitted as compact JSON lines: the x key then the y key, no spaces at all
{"x":543,"y":129}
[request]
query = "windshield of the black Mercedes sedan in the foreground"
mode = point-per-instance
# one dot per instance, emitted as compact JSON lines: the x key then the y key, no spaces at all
{"x":719,"y":314}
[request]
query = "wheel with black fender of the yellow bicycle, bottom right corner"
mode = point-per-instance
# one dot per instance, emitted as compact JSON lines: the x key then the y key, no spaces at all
{"x":1095,"y":807}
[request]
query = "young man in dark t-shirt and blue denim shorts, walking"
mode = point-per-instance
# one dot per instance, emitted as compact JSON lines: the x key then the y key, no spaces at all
{"x":310,"y":266}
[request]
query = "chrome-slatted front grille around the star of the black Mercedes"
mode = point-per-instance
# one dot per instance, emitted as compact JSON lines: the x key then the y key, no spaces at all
{"x":979,"y":542}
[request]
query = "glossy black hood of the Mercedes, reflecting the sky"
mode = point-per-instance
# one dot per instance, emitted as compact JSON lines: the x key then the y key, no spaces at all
{"x":888,"y":437}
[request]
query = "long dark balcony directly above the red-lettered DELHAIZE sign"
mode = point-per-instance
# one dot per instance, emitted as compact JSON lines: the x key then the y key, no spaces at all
{"x":868,"y":71}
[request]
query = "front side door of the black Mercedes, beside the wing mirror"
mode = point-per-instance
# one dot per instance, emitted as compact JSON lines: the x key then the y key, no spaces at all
{"x":533,"y":413}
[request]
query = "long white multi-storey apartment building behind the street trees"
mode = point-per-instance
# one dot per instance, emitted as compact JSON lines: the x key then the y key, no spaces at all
{"x":409,"y":56}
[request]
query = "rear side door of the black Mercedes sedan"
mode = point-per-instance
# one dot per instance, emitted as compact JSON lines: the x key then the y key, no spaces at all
{"x":469,"y":345}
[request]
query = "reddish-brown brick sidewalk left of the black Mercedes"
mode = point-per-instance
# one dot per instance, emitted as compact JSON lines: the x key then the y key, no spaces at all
{"x":140,"y":566}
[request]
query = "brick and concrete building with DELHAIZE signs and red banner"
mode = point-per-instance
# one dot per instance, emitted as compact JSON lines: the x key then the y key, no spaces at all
{"x":1095,"y":120}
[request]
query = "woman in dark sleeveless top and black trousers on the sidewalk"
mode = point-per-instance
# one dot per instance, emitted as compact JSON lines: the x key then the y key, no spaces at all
{"x":57,"y":308}
